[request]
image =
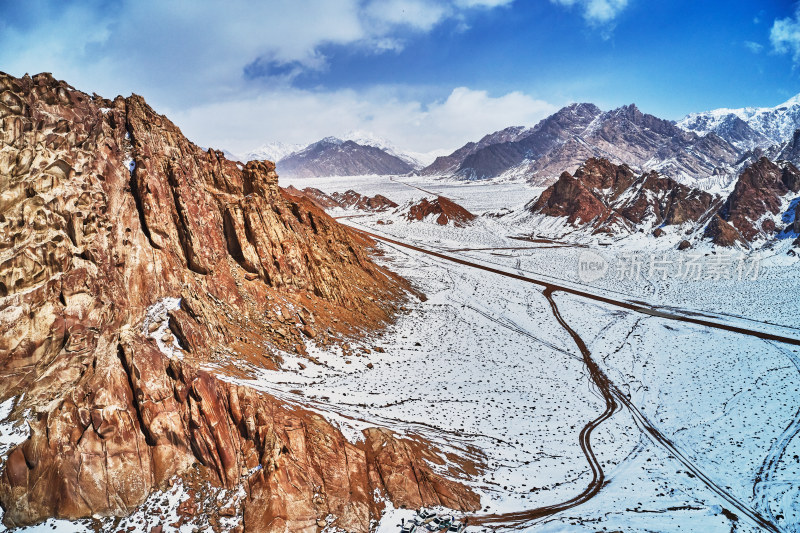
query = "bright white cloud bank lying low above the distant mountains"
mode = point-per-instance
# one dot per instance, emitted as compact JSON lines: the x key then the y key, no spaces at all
{"x":295,"y":116}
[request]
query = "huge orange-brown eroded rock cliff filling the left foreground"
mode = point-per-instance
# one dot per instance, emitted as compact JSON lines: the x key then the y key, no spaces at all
{"x":107,"y":211}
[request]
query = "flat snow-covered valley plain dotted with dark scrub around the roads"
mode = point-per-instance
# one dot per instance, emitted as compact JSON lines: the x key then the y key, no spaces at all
{"x":495,"y":370}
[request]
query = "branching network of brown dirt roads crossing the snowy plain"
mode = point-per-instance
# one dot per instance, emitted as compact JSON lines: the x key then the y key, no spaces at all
{"x":614,"y":398}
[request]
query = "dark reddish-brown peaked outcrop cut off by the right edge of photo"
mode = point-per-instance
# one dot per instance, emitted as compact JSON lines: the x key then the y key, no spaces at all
{"x":757,"y":199}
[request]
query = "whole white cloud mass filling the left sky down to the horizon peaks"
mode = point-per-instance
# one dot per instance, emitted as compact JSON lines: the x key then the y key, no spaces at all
{"x":188,"y":58}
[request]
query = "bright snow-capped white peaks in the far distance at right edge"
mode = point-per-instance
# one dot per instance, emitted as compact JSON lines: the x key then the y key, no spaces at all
{"x":749,"y":127}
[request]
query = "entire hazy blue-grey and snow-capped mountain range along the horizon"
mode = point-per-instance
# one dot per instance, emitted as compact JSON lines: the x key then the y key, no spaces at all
{"x":707,"y":150}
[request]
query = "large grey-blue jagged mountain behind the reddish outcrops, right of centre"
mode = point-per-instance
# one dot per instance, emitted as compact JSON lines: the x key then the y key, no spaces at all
{"x":564,"y":140}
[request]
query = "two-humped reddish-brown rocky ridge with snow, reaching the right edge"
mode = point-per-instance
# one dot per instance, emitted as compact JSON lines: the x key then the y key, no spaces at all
{"x":608,"y":198}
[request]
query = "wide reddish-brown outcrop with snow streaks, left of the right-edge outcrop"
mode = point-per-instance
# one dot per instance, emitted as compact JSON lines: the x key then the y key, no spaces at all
{"x":609,"y":198}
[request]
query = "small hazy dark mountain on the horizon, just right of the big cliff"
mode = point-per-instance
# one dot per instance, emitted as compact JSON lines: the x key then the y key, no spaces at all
{"x":335,"y":157}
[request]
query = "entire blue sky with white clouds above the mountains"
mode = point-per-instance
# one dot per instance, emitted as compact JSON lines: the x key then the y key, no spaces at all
{"x":427,"y":74}
